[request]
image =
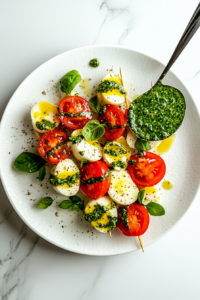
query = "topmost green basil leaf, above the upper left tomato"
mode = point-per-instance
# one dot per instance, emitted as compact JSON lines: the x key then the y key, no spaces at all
{"x":69,"y":81}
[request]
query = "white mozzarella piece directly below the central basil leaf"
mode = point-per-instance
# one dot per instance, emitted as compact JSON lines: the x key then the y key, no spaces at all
{"x":90,"y":150}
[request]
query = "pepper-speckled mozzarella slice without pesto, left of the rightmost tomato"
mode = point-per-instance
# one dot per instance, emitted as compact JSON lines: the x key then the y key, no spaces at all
{"x":122,"y":189}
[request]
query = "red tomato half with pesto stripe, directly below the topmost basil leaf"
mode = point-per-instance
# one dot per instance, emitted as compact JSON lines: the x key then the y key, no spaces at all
{"x":74,"y":105}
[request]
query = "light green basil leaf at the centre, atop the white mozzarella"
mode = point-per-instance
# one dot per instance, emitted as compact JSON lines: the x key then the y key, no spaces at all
{"x":93,"y":130}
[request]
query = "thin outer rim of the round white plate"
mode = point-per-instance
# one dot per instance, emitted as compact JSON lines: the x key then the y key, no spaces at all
{"x":3,"y":117}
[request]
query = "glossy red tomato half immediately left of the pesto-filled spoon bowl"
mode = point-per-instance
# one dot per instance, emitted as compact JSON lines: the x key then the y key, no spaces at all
{"x":115,"y":116}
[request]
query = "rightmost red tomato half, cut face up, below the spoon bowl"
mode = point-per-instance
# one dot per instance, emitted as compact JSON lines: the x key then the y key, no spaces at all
{"x":148,"y":170}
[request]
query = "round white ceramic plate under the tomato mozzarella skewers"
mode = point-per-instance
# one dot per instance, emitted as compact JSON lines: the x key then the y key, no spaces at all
{"x":68,"y":229}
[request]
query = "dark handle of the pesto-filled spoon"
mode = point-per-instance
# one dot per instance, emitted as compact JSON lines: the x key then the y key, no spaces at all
{"x":190,"y":30}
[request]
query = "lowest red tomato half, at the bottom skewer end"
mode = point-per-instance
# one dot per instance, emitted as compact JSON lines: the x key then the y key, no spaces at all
{"x":138,"y":220}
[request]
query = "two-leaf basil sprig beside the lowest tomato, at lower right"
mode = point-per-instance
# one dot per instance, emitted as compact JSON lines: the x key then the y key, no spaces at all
{"x":154,"y":209}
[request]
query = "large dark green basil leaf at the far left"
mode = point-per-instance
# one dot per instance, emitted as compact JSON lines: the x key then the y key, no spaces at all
{"x":29,"y":162}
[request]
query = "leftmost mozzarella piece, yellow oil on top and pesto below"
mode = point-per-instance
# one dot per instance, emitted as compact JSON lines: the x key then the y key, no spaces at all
{"x":44,"y":111}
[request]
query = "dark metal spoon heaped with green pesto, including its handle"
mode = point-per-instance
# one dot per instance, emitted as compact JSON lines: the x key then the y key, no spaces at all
{"x":158,"y":113}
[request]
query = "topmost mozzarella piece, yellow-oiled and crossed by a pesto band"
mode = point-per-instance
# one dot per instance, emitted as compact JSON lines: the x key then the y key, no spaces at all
{"x":114,"y":96}
